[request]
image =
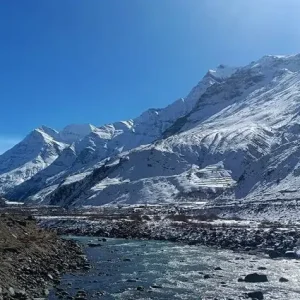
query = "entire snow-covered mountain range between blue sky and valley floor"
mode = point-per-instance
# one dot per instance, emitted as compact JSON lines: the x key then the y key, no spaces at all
{"x":234,"y":136}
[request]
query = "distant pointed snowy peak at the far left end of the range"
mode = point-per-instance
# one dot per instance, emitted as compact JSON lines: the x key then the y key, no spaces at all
{"x":39,"y":149}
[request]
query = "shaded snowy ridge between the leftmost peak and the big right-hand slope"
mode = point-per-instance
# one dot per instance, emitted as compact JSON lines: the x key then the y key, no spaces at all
{"x":89,"y":144}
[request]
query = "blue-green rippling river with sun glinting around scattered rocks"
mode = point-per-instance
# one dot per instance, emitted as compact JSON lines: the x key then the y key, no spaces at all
{"x":132,"y":269}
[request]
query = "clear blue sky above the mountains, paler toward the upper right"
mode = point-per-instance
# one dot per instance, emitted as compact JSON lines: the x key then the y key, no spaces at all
{"x":98,"y":61}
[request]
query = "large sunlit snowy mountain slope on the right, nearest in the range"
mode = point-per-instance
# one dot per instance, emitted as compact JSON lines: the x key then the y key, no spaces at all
{"x":239,"y":141}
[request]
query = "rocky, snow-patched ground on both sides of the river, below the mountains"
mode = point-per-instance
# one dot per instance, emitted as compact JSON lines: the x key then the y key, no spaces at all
{"x":33,"y":259}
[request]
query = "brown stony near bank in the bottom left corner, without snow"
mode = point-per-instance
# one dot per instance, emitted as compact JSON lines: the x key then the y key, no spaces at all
{"x":32,"y":260}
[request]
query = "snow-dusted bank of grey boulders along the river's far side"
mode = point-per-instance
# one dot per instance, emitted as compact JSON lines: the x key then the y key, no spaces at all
{"x":273,"y":239}
